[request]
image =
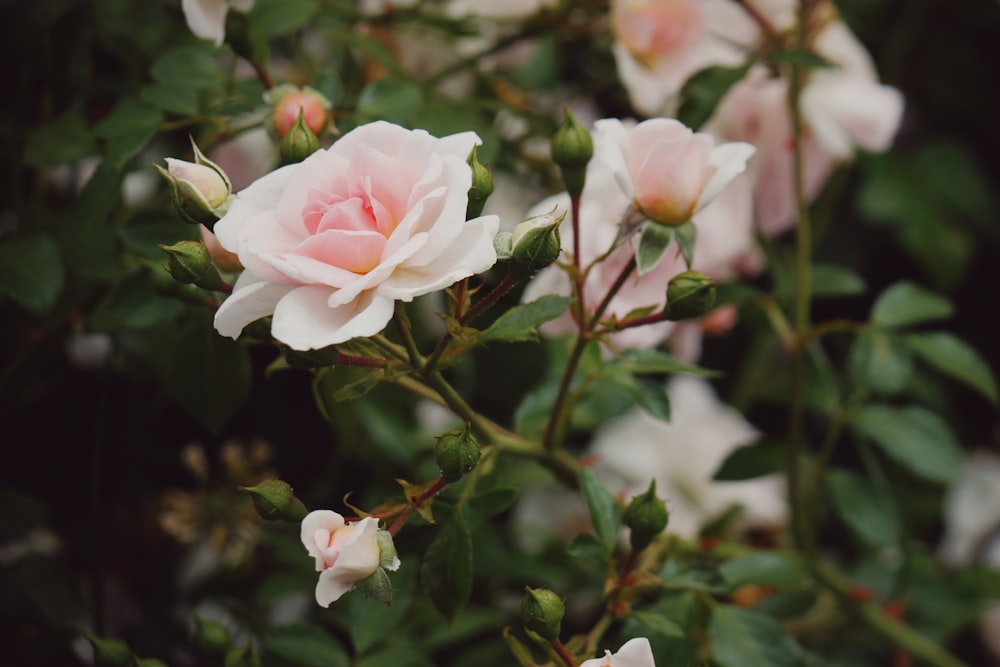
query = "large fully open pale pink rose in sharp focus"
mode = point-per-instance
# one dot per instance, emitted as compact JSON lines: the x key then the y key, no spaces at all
{"x":330,"y":244}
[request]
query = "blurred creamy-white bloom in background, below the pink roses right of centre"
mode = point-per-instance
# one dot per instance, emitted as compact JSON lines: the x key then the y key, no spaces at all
{"x":683,"y":455}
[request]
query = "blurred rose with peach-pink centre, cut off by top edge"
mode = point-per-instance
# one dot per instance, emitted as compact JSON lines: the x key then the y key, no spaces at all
{"x":662,"y":43}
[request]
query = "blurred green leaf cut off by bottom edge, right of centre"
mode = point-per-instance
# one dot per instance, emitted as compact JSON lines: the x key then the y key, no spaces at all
{"x":744,"y":638}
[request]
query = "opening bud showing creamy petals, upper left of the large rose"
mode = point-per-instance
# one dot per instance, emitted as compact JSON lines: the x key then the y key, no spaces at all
{"x":200,"y":190}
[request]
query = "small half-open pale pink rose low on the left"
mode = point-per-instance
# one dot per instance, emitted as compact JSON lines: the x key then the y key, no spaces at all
{"x":345,"y":553}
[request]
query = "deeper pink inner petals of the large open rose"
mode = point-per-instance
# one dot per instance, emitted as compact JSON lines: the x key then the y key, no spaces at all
{"x":347,"y":229}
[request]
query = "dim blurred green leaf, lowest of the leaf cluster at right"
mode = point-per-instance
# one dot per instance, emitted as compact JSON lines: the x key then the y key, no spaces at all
{"x":863,"y":508}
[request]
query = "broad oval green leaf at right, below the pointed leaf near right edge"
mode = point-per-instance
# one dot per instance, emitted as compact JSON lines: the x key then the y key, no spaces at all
{"x":914,"y":437}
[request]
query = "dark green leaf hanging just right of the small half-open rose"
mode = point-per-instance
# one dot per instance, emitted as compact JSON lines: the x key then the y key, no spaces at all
{"x":446,"y":570}
